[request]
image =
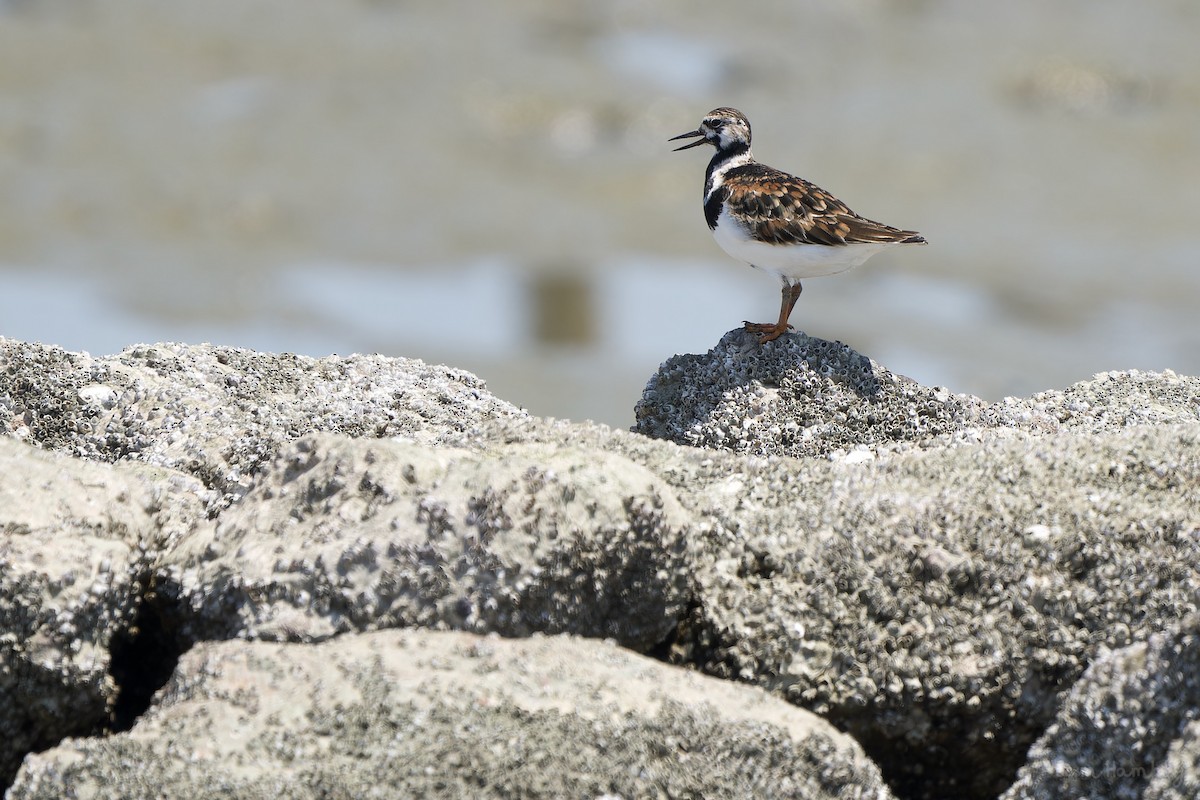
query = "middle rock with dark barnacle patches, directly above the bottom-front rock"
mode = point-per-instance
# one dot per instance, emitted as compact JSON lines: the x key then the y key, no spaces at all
{"x":350,"y":536}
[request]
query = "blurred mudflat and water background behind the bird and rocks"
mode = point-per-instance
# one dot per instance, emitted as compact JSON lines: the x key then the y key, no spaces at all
{"x":489,"y":185}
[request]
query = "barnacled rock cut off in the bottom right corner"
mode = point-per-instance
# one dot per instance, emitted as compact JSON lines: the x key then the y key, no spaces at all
{"x":1129,"y":729}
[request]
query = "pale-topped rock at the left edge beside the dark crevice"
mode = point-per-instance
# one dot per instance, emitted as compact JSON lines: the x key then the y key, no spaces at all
{"x":77,"y":542}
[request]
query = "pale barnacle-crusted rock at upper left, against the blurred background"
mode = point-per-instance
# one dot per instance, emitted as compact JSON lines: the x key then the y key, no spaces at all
{"x":221,"y":413}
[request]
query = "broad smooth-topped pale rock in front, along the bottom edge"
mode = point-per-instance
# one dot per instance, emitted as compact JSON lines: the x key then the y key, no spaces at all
{"x":453,"y":715}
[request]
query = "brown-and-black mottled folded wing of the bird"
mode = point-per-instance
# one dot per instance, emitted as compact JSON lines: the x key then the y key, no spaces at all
{"x":782,"y":209}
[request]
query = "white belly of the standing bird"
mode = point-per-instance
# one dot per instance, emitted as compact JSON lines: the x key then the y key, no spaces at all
{"x":790,"y":263}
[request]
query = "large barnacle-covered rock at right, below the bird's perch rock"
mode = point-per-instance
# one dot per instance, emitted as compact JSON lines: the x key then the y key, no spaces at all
{"x":934,"y":604}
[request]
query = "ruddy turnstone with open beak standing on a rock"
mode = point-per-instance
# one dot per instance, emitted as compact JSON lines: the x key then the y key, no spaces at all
{"x":777,"y":222}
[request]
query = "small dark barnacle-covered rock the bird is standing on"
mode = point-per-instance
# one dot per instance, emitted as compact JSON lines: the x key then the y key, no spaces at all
{"x":796,"y":396}
